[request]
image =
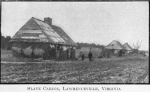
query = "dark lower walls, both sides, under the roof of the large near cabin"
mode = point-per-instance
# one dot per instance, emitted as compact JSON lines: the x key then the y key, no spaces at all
{"x":46,"y":51}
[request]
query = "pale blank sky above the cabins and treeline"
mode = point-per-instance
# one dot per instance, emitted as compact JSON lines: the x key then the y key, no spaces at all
{"x":92,"y":22}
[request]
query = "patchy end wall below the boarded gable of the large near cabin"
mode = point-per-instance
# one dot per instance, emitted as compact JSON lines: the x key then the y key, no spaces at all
{"x":29,"y":49}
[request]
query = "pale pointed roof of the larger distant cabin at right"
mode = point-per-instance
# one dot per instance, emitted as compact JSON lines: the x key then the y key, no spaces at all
{"x":114,"y":45}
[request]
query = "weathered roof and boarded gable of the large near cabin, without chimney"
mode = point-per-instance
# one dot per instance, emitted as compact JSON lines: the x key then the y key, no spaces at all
{"x":36,"y":30}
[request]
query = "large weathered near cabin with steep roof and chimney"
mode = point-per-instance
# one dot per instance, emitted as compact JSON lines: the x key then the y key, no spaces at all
{"x":39,"y":38}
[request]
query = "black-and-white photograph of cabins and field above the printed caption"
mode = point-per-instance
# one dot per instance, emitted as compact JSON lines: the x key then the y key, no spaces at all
{"x":75,"y":42}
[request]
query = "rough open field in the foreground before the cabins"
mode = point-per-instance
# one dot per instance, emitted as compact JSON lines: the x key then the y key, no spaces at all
{"x":113,"y":70}
